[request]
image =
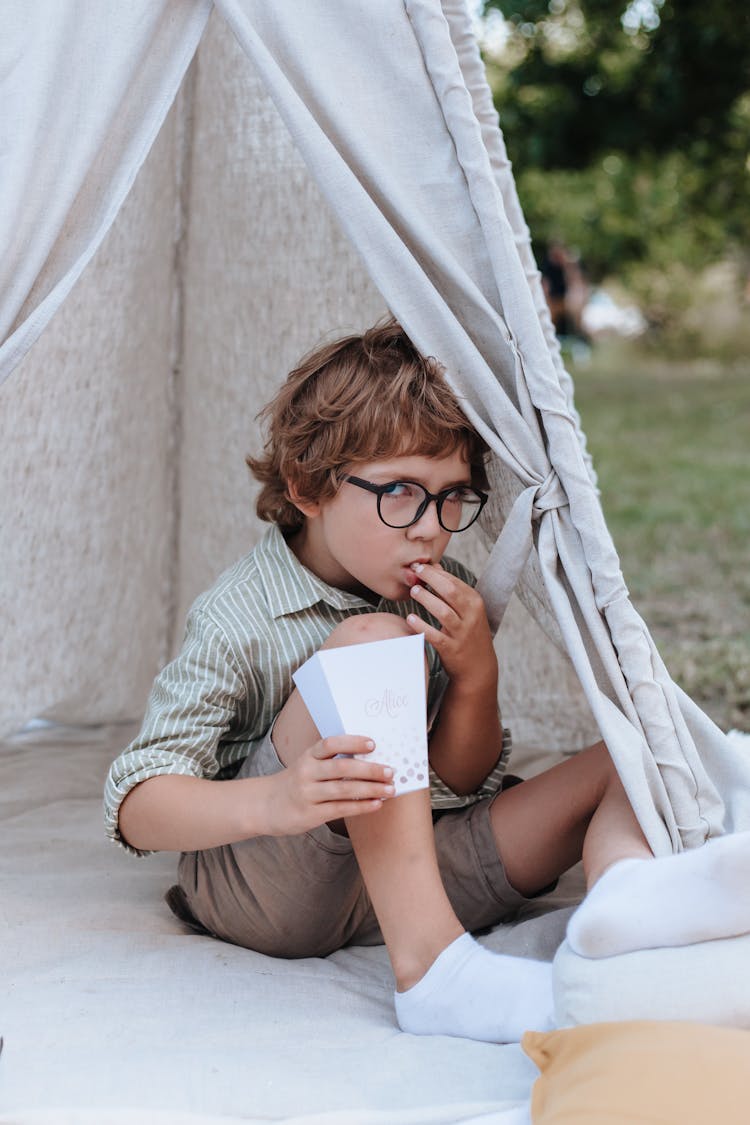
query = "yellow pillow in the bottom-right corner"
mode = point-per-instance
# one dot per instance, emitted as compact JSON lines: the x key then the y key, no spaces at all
{"x":650,"y":1073}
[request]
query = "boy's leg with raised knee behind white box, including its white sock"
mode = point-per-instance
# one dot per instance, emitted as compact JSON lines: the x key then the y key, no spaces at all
{"x":447,"y":983}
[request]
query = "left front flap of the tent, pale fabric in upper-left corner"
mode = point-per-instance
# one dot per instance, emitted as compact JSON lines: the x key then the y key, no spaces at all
{"x":85,"y":91}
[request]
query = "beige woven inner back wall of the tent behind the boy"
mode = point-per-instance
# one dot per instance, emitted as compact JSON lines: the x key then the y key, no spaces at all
{"x":124,"y":491}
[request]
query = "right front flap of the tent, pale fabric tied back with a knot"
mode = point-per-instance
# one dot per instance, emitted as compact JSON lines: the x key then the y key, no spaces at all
{"x":418,"y":195}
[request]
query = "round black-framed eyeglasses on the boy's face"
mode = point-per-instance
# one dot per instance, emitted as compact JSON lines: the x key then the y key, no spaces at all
{"x":402,"y":503}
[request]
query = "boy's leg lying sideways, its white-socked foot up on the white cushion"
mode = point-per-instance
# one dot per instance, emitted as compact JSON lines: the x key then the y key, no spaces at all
{"x":581,"y":809}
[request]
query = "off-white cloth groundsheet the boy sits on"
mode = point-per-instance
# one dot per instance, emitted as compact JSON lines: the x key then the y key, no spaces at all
{"x":113,"y":1013}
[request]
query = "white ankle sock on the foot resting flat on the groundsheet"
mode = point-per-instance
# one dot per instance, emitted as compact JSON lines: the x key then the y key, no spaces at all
{"x":477,"y":995}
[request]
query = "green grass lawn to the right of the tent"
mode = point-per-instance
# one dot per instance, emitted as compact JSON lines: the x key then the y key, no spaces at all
{"x":672,"y":447}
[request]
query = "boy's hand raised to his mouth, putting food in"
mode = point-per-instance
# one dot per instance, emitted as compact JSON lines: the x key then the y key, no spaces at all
{"x":464,"y":642}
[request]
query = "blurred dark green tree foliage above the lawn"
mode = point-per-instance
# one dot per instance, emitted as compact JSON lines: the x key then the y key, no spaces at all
{"x":629,"y":127}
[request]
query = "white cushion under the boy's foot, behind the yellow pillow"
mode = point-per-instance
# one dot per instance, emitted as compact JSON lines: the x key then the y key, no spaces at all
{"x":708,"y":983}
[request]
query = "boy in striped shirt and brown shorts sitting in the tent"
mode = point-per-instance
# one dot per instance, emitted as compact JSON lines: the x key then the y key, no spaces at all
{"x":369,"y":469}
